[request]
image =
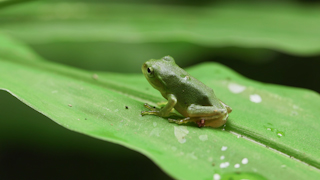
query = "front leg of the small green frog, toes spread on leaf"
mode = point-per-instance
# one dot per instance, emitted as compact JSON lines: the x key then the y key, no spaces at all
{"x":165,"y":111}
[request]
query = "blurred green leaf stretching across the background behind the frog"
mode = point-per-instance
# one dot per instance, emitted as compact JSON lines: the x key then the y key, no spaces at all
{"x":291,"y":28}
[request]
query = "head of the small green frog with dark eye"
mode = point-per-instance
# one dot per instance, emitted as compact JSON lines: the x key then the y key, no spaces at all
{"x":156,"y":70}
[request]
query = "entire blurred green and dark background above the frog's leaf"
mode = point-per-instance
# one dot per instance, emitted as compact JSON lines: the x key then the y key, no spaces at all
{"x":252,"y":37}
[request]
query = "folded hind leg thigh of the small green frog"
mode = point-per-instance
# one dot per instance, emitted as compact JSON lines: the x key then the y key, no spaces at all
{"x":201,"y":111}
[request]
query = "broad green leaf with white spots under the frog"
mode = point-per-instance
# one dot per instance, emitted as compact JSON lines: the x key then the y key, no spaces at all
{"x":271,"y":134}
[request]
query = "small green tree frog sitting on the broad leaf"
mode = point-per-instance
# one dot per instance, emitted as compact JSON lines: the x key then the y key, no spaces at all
{"x":190,"y":97}
